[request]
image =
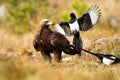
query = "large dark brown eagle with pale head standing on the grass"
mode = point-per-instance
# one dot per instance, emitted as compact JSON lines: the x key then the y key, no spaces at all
{"x":48,"y":42}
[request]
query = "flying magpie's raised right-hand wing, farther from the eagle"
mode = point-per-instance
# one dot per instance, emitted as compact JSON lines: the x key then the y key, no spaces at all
{"x":89,"y":19}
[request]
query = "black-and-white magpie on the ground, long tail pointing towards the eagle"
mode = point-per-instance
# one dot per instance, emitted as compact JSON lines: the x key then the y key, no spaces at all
{"x":106,"y":59}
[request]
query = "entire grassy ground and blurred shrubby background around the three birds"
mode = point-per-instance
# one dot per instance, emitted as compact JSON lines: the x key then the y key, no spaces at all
{"x":18,"y":26}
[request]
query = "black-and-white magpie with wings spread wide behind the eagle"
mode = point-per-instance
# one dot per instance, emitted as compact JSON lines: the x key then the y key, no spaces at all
{"x":83,"y":23}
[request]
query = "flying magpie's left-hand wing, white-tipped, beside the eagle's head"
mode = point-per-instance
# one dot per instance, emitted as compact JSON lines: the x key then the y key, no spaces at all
{"x":63,"y":28}
